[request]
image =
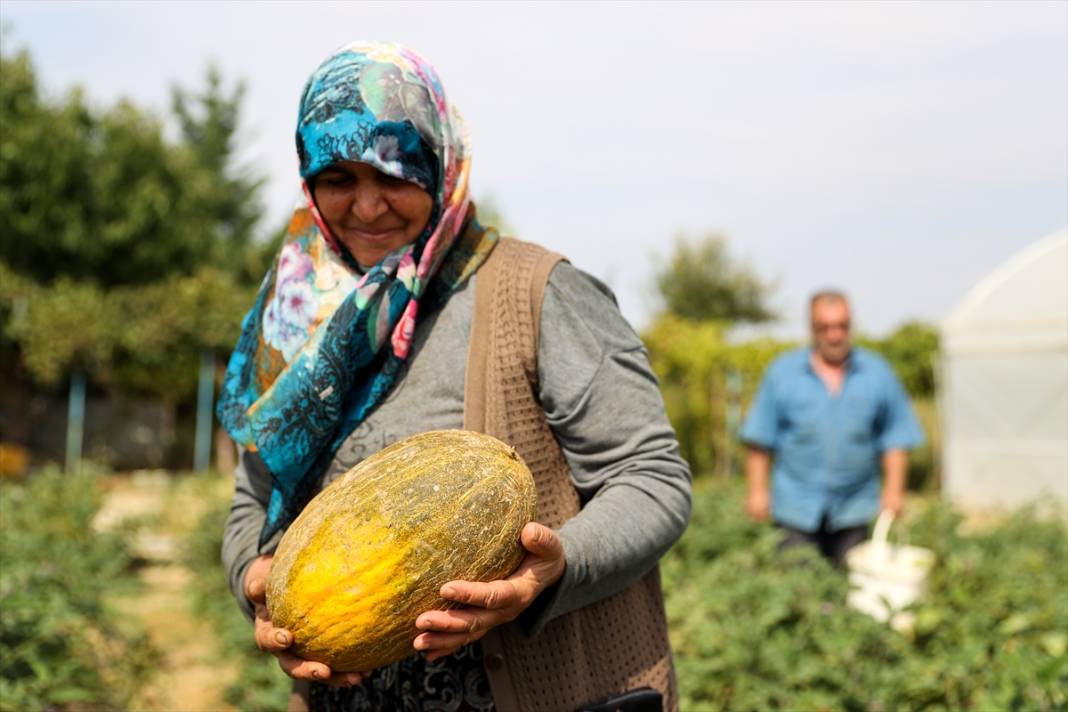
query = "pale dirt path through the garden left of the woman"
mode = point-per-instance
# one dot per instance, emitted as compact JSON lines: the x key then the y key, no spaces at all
{"x":192,"y":677}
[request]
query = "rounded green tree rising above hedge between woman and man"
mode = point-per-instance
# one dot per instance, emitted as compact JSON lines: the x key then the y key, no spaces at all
{"x":702,"y":282}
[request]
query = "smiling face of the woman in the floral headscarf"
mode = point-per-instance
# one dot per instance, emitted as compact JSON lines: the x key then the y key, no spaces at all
{"x":371,"y":213}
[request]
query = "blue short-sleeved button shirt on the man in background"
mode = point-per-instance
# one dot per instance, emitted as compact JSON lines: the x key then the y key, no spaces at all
{"x":827,"y":448}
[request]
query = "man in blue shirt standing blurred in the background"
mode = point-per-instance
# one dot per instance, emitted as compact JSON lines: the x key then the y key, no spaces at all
{"x":828,"y":417}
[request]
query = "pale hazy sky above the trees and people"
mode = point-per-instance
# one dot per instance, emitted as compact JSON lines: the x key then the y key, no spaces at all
{"x":898,"y":151}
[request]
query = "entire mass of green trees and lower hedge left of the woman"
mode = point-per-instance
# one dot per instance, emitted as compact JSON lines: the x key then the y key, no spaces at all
{"x":124,"y":256}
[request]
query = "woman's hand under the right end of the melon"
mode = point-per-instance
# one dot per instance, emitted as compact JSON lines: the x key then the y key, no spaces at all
{"x":491,"y":605}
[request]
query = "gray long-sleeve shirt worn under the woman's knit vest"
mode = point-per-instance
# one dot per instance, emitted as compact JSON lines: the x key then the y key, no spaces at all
{"x":604,"y":405}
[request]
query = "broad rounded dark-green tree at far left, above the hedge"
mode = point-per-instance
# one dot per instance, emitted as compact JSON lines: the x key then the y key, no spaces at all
{"x":93,"y":196}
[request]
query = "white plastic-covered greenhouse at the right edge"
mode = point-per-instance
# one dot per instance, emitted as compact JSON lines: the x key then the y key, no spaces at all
{"x":1004,"y":397}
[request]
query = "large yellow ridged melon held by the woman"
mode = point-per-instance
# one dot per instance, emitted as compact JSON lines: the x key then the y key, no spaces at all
{"x":370,"y":553}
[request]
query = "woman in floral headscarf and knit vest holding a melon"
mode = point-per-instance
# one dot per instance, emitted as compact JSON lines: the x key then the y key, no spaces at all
{"x":392,"y":311}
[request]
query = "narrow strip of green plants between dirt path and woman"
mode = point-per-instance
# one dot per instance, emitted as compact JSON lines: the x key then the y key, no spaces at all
{"x":260,"y":685}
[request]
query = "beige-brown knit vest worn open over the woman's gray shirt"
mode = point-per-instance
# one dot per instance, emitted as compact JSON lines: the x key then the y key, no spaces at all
{"x":606,"y":648}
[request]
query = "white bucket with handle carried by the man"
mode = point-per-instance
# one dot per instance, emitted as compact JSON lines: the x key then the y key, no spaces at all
{"x":887,"y":578}
